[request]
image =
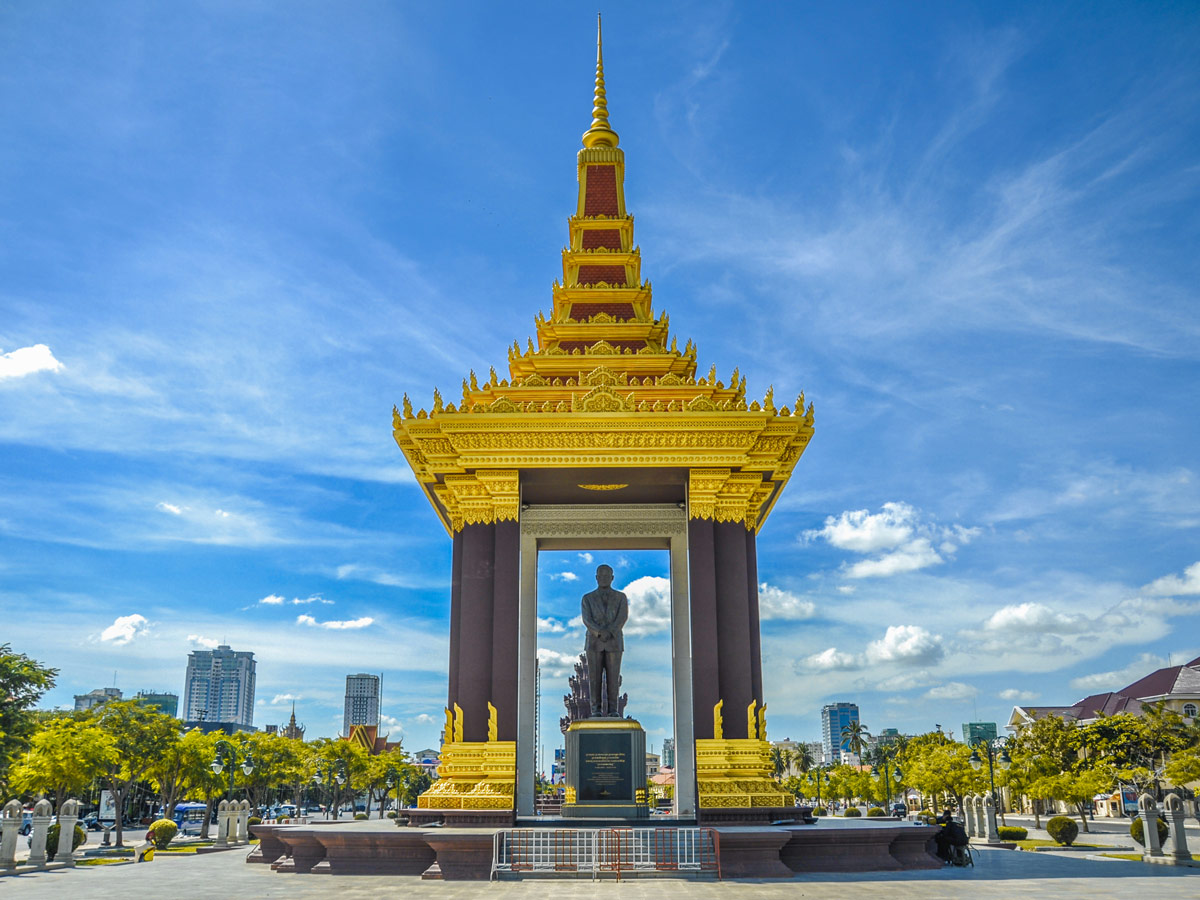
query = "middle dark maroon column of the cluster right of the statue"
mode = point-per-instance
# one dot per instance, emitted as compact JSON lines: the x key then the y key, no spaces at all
{"x":733,"y":626}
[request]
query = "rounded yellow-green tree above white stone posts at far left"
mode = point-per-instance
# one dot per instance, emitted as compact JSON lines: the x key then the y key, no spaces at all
{"x":65,"y":755}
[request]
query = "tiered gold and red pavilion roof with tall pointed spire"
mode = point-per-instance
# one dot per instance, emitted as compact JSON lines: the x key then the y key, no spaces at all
{"x":605,"y":391}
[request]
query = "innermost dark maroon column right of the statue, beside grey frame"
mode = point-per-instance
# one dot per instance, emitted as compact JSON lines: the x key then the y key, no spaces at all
{"x":703,"y":602}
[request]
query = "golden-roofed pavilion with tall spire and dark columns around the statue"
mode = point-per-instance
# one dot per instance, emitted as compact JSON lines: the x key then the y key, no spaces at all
{"x":604,"y":411}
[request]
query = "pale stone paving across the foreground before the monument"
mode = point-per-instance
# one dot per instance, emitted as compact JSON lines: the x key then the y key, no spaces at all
{"x":998,"y":875}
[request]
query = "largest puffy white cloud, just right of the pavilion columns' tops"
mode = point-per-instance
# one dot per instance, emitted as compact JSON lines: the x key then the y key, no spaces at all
{"x":896,"y":537}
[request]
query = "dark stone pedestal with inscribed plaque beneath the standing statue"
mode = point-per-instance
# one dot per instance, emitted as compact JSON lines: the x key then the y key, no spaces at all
{"x":607,"y":769}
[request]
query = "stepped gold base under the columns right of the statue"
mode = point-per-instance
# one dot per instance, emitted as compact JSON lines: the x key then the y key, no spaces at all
{"x":737,"y":775}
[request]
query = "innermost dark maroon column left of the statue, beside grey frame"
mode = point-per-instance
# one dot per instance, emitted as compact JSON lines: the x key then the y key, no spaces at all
{"x":506,"y":628}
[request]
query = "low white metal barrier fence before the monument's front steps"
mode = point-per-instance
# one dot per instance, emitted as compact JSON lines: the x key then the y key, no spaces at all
{"x":607,"y":850}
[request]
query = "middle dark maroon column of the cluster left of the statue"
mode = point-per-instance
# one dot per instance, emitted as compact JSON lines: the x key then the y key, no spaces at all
{"x":476,"y":628}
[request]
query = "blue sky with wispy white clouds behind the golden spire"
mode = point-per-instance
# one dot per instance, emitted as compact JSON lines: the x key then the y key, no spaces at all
{"x":232,"y":236}
